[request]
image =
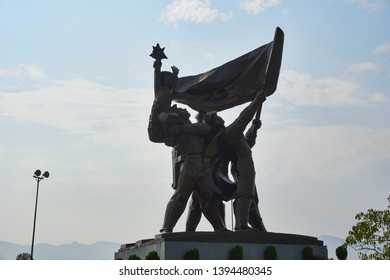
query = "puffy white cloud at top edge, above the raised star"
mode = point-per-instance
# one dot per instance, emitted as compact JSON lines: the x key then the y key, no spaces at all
{"x":197,"y":11}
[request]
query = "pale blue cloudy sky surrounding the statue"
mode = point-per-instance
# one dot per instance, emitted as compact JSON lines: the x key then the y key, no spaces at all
{"x":76,"y":88}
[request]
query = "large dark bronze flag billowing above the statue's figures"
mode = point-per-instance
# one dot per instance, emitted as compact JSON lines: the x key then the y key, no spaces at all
{"x":235,"y":82}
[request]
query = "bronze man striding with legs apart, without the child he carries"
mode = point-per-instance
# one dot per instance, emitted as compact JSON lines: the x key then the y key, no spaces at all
{"x":193,"y":176}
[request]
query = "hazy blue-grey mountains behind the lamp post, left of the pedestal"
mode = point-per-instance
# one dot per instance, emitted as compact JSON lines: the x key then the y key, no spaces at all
{"x":73,"y":251}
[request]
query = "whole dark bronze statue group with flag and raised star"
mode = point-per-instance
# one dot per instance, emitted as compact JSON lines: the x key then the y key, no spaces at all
{"x":203,"y":150}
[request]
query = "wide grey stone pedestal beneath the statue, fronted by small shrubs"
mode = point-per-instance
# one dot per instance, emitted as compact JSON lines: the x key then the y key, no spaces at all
{"x":217,"y":246}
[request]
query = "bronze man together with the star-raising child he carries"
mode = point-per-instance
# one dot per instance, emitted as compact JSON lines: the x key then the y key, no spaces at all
{"x":172,"y":125}
